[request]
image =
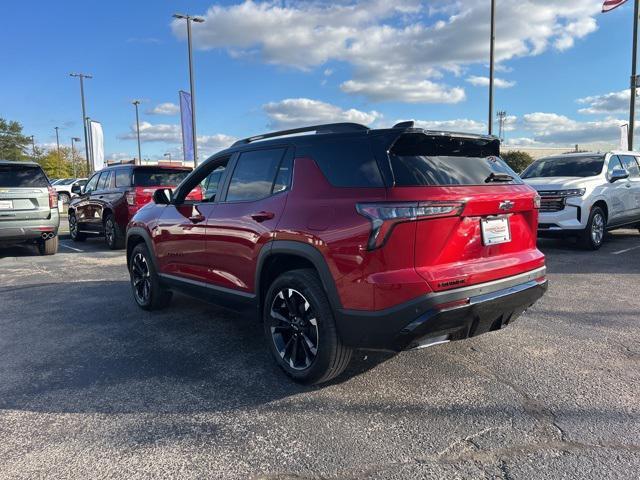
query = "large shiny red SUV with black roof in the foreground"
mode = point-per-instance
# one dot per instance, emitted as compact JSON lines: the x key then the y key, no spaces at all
{"x":347,"y":238}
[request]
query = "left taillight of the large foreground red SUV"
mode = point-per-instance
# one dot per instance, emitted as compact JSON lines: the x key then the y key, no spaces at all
{"x":385,"y":216}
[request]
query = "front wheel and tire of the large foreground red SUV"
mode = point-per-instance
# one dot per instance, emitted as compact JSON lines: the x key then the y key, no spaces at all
{"x":147,"y":291}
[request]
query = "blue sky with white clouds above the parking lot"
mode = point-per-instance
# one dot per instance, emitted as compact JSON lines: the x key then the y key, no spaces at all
{"x":561,"y":68}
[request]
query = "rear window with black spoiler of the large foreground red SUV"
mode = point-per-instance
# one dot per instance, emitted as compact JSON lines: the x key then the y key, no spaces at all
{"x":421,"y":160}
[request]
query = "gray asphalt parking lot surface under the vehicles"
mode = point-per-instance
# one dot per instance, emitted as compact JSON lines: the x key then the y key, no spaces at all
{"x":92,"y":387}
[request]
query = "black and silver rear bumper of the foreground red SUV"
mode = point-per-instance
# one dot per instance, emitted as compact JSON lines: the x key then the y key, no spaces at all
{"x":443,"y":316}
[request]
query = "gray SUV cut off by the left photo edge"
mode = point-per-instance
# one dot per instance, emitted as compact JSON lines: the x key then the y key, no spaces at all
{"x":28,"y":207}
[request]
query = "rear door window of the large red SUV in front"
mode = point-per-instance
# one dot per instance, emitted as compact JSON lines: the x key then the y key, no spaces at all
{"x":254,"y":174}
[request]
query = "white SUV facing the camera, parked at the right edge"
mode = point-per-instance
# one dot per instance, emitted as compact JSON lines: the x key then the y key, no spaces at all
{"x":586,"y":194}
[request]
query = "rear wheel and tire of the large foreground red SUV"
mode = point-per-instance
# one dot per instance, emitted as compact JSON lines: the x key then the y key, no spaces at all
{"x":293,"y":337}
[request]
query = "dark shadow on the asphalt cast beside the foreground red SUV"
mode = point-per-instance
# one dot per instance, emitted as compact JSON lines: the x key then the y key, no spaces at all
{"x":88,"y":348}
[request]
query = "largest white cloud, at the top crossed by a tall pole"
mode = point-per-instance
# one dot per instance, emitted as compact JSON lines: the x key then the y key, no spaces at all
{"x":398,"y":50}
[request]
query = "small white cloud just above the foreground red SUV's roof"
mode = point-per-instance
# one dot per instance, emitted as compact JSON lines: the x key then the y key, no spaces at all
{"x":300,"y":112}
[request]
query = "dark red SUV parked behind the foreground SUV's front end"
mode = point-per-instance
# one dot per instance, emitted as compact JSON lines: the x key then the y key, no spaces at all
{"x":113,"y":195}
